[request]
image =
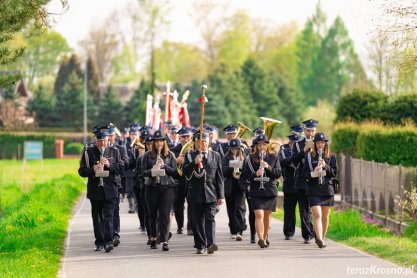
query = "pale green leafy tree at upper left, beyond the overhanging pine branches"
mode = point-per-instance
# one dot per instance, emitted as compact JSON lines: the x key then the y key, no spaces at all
{"x":43,"y":54}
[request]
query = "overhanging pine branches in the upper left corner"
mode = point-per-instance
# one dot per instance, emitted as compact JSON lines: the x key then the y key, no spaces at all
{"x":18,"y":16}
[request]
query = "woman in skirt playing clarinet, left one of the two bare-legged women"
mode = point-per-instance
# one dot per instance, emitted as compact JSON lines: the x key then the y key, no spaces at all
{"x":261,"y":171}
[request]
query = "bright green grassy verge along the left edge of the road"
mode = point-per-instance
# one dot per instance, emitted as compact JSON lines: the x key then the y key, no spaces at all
{"x":33,"y":228}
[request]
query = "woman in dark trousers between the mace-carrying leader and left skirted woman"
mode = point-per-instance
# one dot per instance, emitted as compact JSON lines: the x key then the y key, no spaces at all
{"x":233,"y":192}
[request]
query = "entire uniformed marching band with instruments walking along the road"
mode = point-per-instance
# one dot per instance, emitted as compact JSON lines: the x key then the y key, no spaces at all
{"x":167,"y":172}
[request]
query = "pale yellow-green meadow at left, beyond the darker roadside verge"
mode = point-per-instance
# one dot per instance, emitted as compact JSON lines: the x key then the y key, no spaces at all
{"x":14,"y":180}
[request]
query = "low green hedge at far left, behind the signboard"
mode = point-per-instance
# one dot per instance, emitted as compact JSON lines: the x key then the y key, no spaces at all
{"x":11,"y":144}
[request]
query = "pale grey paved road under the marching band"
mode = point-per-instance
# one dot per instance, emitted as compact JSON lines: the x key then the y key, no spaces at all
{"x":133,"y":258}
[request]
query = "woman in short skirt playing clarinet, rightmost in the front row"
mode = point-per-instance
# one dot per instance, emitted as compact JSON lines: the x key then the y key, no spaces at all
{"x":319,"y":169}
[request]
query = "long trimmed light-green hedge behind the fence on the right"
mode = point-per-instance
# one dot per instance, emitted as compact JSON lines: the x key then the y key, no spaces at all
{"x":376,"y":142}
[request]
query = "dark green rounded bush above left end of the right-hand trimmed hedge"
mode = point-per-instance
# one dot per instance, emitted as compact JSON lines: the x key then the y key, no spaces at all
{"x":360,"y":106}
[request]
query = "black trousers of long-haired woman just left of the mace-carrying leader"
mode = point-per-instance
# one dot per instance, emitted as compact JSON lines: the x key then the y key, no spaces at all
{"x":160,"y":200}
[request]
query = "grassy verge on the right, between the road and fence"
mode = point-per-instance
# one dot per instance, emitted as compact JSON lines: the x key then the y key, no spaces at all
{"x":348,"y":227}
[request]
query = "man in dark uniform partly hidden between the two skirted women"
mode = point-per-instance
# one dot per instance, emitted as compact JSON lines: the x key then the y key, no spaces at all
{"x":290,"y":194}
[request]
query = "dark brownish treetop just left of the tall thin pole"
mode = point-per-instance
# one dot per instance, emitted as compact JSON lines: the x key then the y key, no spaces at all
{"x":68,"y":66}
